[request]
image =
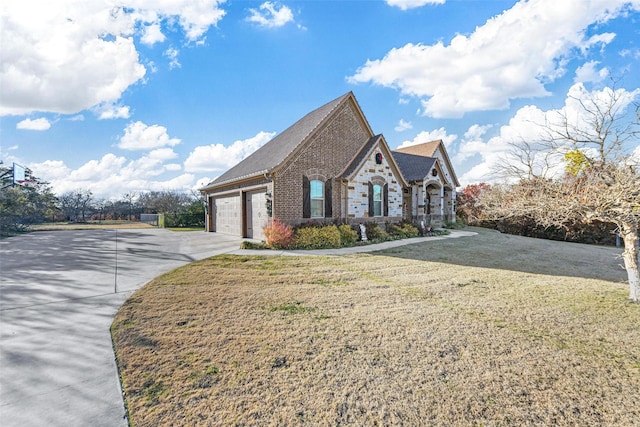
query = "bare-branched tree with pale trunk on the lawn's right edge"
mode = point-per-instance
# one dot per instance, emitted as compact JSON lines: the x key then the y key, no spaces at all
{"x":601,"y":179}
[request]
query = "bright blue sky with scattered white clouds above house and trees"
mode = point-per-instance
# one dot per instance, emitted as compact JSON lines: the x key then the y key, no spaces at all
{"x":142,"y":95}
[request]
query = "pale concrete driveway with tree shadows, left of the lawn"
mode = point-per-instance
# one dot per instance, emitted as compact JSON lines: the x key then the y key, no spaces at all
{"x":59,"y":292}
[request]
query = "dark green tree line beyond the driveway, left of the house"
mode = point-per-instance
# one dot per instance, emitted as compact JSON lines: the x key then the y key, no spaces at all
{"x":34,"y":202}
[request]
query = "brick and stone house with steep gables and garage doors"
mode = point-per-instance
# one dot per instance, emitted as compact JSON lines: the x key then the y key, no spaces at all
{"x":330,"y":166}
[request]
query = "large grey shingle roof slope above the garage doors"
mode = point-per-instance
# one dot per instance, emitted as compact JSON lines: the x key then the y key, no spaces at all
{"x":274,"y":152}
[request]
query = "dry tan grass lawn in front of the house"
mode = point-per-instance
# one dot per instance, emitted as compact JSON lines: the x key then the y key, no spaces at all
{"x":486,"y":330}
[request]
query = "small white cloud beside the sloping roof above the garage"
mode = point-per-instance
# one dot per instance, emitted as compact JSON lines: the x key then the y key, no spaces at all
{"x":217,"y":157}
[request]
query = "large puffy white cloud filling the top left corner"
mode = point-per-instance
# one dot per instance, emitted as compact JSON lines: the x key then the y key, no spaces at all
{"x":65,"y":57}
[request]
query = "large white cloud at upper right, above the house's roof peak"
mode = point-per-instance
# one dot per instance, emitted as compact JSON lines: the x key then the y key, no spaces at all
{"x":511,"y":56}
